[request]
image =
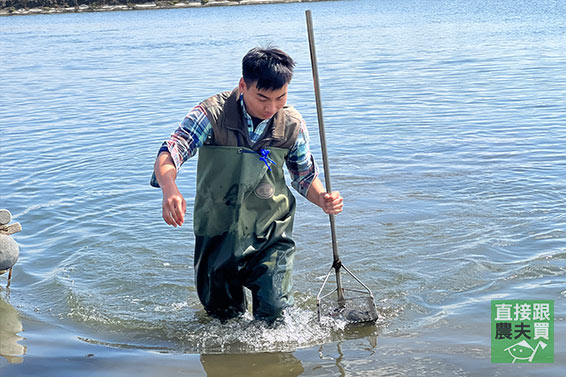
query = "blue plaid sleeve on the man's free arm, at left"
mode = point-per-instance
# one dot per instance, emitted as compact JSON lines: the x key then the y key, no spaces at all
{"x":191,"y":134}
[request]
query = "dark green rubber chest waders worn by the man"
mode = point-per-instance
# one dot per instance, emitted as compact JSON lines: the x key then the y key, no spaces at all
{"x":243,"y":220}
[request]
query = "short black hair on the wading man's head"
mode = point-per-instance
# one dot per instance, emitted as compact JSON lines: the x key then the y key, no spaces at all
{"x":270,"y":68}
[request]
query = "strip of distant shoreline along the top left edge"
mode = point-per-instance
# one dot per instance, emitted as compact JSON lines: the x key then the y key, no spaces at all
{"x":145,"y":6}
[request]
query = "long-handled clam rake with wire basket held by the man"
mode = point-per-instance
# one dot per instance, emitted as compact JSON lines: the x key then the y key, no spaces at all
{"x":360,"y":307}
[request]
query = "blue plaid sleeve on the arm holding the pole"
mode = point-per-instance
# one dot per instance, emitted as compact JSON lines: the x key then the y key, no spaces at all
{"x":301,"y":164}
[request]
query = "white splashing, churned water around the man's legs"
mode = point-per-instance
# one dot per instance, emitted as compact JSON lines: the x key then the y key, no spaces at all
{"x":297,"y":328}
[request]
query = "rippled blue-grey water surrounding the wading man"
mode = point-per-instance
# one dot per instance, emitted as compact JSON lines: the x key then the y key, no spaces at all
{"x":446,"y":133}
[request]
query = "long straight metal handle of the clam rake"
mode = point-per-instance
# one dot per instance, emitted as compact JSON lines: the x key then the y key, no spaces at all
{"x":337,"y":263}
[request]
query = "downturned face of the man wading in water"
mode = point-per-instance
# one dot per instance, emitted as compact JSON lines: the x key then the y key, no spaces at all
{"x":263,"y":104}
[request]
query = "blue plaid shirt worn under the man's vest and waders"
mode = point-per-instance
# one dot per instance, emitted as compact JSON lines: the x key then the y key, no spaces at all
{"x":195,"y":129}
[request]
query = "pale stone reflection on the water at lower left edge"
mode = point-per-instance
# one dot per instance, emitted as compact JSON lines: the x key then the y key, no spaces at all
{"x":10,"y":326}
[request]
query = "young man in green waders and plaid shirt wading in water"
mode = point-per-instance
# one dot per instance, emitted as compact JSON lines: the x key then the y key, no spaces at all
{"x":243,"y":213}
